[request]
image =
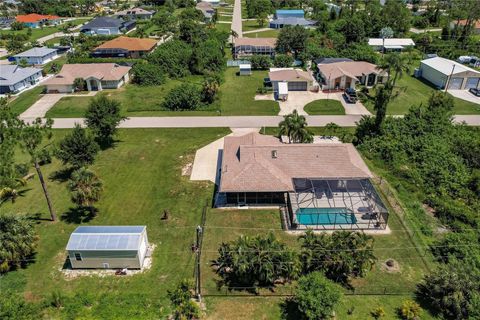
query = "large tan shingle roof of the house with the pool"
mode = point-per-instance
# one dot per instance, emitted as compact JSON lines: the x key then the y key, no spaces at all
{"x":248,"y":166}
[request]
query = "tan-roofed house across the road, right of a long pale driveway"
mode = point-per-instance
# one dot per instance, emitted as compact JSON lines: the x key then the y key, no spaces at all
{"x":98,"y":76}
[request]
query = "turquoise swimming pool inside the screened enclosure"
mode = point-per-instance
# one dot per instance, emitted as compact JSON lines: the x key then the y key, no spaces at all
{"x":325,"y":216}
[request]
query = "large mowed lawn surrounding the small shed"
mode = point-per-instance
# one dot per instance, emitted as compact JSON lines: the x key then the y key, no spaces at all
{"x":142,"y":177}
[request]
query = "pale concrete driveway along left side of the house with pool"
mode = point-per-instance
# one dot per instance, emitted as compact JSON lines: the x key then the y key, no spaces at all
{"x":209,"y":158}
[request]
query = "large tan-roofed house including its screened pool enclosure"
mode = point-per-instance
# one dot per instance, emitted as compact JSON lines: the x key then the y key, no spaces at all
{"x":321,"y":185}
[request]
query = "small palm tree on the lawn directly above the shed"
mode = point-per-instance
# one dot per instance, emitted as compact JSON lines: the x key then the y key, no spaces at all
{"x":85,"y":188}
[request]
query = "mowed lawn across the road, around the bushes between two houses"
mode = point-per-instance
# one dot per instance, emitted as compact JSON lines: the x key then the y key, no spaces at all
{"x":236,"y":97}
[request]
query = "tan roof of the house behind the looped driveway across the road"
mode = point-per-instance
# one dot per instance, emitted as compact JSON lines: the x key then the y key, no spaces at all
{"x":352,"y":69}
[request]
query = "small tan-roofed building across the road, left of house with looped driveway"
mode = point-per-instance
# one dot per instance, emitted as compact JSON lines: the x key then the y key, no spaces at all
{"x":289,"y":79}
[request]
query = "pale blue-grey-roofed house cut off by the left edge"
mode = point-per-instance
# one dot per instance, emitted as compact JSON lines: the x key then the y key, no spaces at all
{"x":14,"y":78}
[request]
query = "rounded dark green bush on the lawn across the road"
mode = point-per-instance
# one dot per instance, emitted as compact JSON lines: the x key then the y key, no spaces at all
{"x":186,"y":96}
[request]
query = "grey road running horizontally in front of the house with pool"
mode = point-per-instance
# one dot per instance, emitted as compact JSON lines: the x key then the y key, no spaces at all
{"x":235,"y":121}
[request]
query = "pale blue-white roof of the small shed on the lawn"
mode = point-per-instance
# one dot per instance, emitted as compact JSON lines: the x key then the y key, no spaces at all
{"x":106,"y":238}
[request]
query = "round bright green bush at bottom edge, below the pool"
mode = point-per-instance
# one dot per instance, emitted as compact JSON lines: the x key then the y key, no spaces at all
{"x":316,"y":296}
